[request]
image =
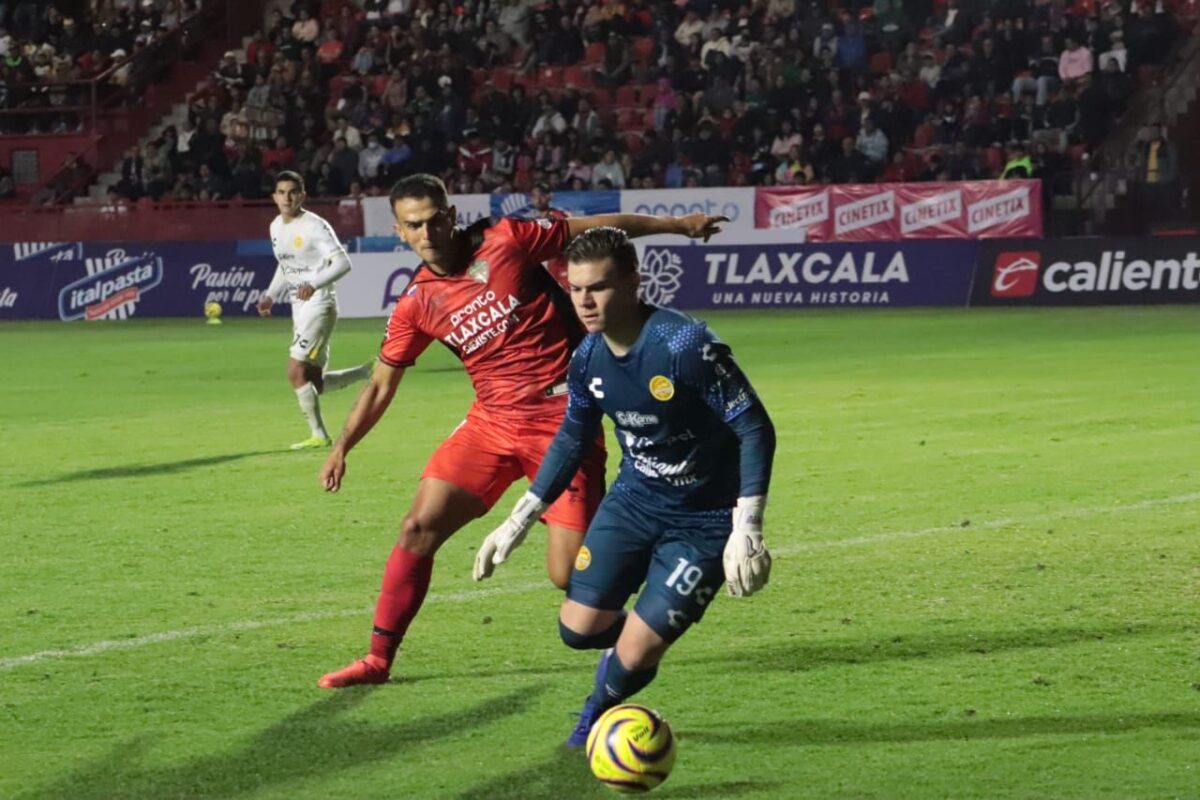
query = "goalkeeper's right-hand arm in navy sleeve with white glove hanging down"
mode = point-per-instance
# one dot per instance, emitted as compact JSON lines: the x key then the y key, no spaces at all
{"x":712,"y":371}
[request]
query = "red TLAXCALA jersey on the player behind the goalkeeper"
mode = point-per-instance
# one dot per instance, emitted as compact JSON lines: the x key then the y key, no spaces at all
{"x":505,"y":320}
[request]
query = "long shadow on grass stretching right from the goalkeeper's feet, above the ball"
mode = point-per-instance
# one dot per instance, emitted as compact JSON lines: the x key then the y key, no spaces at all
{"x":801,"y":654}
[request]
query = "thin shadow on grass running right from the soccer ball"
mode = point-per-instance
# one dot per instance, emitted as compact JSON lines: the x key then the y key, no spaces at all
{"x":838,"y":732}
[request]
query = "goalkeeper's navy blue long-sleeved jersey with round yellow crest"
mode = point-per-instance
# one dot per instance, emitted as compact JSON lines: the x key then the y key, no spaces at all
{"x":677,"y":400}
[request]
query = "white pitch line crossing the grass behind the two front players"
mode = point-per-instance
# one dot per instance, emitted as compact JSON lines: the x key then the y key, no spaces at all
{"x":477,"y":594}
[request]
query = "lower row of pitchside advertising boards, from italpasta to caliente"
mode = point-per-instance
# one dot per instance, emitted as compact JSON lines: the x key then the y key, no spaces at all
{"x":112,"y":281}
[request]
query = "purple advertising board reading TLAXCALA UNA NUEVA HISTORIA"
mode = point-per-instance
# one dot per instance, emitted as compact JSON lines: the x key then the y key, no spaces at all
{"x":797,"y":276}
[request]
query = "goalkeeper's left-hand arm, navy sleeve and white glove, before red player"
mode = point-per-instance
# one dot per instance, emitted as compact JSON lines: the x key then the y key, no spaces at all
{"x":563,"y":460}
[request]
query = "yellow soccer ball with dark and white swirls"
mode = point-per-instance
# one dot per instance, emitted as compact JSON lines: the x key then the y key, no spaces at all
{"x":632,"y":749}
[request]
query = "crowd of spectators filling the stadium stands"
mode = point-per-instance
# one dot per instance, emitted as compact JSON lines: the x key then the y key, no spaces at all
{"x":500,"y":95}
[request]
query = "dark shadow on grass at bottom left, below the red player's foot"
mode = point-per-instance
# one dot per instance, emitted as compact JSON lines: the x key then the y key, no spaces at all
{"x":314,"y":742}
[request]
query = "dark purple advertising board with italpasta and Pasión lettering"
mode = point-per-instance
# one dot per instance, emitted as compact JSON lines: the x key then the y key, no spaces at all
{"x":111,"y":281}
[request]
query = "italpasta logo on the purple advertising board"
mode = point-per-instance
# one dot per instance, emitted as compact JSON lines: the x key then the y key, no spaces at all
{"x":112,"y":288}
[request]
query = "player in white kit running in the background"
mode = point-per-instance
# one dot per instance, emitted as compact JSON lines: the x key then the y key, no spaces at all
{"x":311,"y":260}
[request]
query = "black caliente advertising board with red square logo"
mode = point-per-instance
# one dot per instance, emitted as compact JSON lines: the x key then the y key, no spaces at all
{"x":1088,"y":272}
